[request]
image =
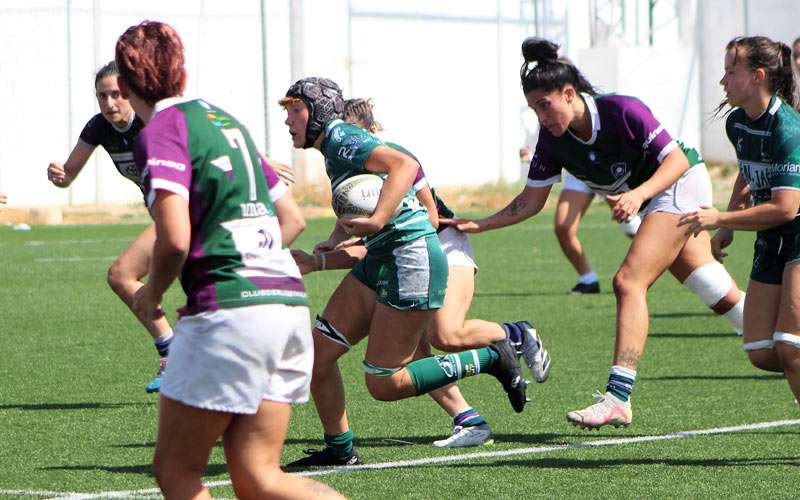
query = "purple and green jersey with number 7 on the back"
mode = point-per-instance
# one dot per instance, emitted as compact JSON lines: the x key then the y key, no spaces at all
{"x":236,"y":257}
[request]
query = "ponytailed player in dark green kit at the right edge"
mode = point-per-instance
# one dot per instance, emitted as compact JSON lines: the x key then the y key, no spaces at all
{"x":764,"y":128}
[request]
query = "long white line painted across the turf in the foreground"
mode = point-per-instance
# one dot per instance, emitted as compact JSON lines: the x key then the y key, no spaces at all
{"x":154,"y":492}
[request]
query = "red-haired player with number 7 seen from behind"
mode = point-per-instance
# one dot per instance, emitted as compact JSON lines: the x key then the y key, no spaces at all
{"x":222,"y":219}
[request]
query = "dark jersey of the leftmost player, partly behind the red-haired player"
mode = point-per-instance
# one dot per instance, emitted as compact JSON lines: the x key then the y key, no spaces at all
{"x":117,"y":142}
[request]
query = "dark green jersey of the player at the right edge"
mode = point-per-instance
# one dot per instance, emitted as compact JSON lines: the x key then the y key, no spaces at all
{"x":768,"y":151}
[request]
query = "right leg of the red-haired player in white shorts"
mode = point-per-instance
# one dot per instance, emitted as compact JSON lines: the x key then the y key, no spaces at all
{"x":252,"y":450}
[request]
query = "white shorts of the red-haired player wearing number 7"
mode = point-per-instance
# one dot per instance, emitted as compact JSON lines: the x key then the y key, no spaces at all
{"x":229,"y":360}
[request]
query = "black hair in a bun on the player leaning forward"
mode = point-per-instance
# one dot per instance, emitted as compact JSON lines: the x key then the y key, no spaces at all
{"x":550,"y":73}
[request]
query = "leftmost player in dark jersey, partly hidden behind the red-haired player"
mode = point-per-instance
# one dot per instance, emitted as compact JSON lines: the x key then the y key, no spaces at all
{"x":115,"y":128}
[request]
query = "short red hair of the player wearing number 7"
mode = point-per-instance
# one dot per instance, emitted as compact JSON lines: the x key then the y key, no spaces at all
{"x":150,"y":61}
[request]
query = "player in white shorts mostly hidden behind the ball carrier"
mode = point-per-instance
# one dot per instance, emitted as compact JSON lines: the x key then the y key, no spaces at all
{"x":449,"y":330}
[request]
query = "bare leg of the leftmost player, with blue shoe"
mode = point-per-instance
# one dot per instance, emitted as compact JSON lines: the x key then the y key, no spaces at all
{"x":124,"y":277}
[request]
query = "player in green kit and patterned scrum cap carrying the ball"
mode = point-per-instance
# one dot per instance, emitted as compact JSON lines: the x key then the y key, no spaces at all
{"x":390,"y":295}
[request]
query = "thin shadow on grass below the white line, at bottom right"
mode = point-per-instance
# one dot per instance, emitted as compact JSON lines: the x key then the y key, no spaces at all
{"x":571,"y":463}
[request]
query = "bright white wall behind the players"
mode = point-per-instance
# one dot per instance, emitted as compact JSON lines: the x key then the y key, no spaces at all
{"x":444,"y":74}
